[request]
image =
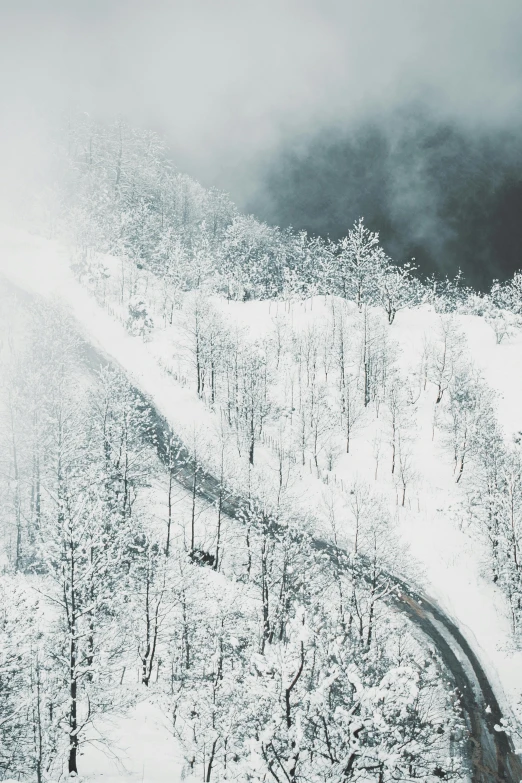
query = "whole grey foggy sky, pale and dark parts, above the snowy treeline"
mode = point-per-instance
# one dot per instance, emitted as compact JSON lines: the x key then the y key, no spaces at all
{"x":269,"y":99}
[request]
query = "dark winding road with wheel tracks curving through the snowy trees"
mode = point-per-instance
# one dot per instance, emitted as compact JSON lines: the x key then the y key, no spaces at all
{"x":491,"y":755}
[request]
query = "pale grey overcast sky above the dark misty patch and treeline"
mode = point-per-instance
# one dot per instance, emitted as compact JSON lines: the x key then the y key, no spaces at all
{"x":233,"y":82}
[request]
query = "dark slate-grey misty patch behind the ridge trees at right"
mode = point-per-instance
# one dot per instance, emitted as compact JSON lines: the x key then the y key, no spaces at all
{"x":447,"y":197}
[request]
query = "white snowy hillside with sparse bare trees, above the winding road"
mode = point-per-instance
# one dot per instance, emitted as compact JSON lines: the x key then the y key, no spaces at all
{"x":325,"y":412}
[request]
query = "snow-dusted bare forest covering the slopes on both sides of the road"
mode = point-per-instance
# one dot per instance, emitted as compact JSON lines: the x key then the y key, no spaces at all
{"x":269,"y":661}
